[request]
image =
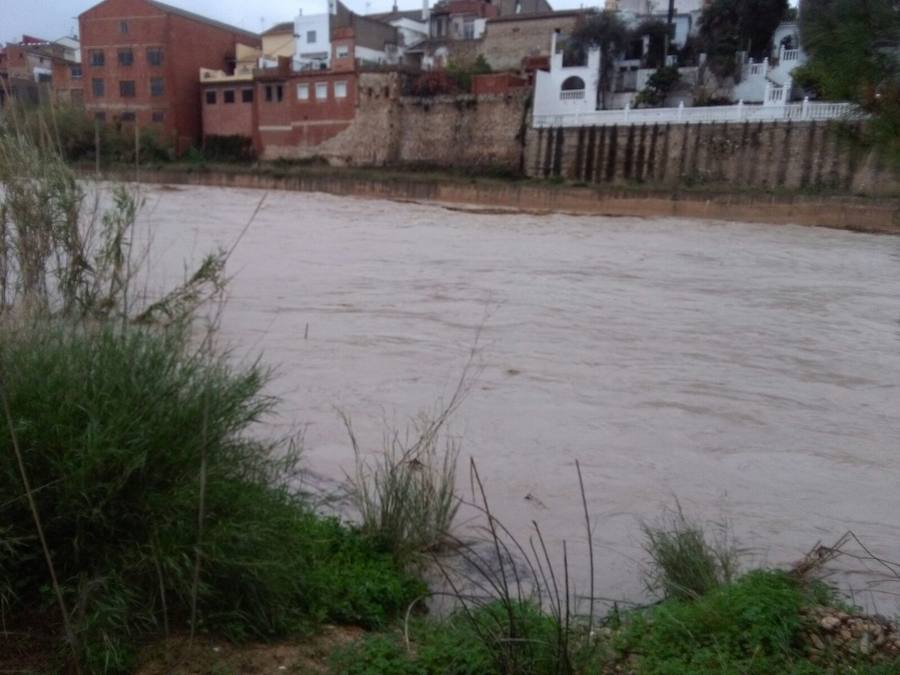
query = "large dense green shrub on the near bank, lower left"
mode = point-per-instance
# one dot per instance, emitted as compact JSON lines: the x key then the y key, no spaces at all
{"x":120,"y":431}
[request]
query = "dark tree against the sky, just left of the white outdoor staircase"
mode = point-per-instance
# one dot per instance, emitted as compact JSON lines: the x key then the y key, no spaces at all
{"x":730,"y":26}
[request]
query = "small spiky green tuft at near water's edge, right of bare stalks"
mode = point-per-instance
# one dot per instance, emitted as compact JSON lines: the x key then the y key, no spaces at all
{"x":684,"y":563}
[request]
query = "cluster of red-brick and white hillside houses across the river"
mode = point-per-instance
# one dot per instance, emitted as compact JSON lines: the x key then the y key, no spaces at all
{"x":198,"y":82}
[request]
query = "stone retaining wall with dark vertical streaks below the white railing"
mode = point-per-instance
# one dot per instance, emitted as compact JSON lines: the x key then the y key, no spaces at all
{"x":754,"y":156}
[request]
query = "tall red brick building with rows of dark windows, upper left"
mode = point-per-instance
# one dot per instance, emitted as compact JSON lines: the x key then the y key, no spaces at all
{"x":140,"y":60}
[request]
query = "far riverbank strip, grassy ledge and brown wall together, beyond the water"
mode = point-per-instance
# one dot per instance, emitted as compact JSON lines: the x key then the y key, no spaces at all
{"x":484,"y":193}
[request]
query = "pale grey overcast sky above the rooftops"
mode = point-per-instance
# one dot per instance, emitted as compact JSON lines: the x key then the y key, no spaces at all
{"x":51,"y":19}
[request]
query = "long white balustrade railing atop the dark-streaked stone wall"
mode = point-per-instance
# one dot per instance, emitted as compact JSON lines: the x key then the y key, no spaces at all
{"x":806,"y":111}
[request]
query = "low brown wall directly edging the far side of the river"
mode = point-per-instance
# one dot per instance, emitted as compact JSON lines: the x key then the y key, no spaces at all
{"x":859,"y":214}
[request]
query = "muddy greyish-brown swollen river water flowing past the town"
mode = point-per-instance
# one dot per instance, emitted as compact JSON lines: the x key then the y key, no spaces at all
{"x":751,"y":372}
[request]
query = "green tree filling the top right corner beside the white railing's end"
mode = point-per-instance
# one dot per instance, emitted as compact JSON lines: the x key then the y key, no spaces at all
{"x":854,"y":50}
